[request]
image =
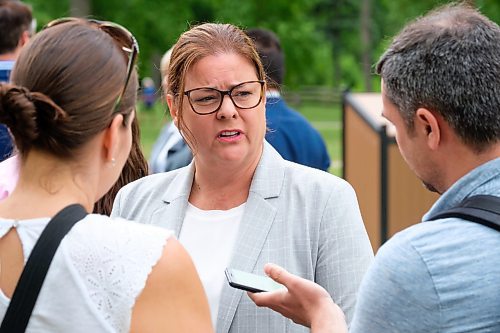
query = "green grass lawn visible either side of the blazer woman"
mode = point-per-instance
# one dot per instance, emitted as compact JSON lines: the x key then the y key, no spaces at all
{"x":325,"y":118}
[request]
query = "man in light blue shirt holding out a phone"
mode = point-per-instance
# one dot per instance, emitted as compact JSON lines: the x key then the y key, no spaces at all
{"x":441,"y":90}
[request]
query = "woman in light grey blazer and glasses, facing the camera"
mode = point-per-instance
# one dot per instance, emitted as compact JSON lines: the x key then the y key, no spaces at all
{"x":239,"y":204}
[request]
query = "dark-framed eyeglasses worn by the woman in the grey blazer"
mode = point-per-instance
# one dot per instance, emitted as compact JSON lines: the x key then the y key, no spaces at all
{"x":245,"y":95}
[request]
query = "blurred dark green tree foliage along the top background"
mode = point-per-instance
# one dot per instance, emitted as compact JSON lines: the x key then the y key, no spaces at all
{"x":321,"y":38}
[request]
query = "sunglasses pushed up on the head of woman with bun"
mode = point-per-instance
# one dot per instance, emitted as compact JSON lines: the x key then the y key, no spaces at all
{"x":119,"y":33}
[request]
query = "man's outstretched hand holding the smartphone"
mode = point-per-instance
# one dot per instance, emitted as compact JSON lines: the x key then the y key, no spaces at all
{"x":305,"y":302}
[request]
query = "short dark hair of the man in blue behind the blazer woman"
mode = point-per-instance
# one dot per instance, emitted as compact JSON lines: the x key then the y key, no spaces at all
{"x":269,"y":48}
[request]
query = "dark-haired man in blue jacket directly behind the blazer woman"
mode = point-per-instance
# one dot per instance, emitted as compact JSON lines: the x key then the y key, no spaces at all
{"x":290,"y":133}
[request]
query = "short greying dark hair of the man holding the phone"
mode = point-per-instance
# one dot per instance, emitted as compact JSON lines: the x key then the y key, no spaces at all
{"x":448,"y":61}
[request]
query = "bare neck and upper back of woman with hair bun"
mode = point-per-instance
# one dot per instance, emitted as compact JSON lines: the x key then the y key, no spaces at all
{"x":46,"y":185}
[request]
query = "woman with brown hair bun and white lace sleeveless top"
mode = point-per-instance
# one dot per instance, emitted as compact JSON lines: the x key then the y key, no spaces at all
{"x":70,"y":109}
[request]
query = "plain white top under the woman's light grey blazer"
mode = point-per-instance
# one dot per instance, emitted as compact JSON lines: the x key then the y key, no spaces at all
{"x":209,"y":237}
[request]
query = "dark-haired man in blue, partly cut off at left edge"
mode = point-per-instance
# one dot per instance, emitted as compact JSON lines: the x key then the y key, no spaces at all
{"x":16,"y":27}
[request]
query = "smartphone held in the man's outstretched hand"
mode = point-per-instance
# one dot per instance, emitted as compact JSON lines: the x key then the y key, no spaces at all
{"x":251,"y":282}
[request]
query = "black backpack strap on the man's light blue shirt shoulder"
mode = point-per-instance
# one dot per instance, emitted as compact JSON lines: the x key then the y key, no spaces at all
{"x":482,"y":209}
